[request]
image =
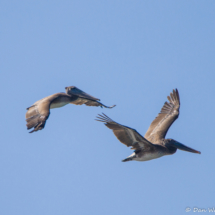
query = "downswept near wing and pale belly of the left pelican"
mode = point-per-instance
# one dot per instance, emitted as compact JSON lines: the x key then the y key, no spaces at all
{"x":38,"y":113}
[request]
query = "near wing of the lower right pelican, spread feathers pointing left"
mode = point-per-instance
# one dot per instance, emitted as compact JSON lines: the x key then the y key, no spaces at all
{"x":126,"y":135}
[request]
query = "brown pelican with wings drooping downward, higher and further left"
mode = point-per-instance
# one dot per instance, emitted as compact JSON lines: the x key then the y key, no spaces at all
{"x":38,"y":113}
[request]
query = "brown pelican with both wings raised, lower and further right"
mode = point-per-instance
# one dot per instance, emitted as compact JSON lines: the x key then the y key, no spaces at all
{"x":154,"y":145}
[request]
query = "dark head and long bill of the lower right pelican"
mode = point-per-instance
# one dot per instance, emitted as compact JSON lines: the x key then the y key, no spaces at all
{"x":173,"y":145}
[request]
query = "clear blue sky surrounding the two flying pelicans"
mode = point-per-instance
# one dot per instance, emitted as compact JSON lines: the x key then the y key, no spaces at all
{"x":128,"y":53}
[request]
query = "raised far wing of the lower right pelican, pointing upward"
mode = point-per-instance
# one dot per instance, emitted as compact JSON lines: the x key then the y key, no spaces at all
{"x":169,"y":113}
